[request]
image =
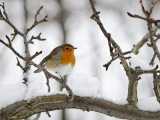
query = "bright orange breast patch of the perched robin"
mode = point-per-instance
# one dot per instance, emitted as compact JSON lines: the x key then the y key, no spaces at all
{"x":68,"y":58}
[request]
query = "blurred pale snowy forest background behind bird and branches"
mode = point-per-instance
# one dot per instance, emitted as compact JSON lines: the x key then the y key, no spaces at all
{"x":69,"y":22}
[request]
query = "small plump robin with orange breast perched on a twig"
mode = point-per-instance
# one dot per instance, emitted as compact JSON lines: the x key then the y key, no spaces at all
{"x":61,"y":60}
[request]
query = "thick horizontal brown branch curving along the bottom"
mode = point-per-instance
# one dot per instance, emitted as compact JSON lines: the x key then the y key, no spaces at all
{"x":24,"y":109}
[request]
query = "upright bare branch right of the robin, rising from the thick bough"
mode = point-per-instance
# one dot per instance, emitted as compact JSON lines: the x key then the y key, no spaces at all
{"x":116,"y":50}
